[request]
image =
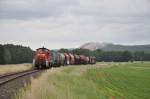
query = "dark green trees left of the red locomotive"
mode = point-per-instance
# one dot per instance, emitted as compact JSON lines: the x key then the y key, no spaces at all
{"x":14,"y":54}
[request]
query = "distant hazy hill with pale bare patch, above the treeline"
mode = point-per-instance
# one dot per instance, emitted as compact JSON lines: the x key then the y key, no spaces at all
{"x":115,"y":47}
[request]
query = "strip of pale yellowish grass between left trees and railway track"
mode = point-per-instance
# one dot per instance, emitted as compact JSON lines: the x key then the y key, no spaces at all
{"x":14,"y":68}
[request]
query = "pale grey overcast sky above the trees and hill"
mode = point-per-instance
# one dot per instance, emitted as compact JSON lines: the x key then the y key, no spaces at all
{"x":71,"y":23}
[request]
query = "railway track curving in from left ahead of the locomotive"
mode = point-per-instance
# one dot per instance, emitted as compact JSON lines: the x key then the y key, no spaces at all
{"x":9,"y":77}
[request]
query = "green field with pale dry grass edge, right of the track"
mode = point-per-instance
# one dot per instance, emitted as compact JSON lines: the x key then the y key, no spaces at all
{"x":100,"y":81}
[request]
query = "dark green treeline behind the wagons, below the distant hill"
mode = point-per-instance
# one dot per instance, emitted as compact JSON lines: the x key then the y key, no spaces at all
{"x":108,"y":56}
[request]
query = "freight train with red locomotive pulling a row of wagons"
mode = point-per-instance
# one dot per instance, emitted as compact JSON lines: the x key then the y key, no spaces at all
{"x":45,"y":58}
